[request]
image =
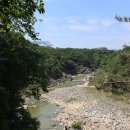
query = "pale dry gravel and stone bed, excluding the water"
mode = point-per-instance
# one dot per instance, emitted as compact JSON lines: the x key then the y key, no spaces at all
{"x":94,"y":112}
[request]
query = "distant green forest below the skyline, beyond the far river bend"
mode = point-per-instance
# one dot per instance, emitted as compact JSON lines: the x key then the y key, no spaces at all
{"x":69,"y":60}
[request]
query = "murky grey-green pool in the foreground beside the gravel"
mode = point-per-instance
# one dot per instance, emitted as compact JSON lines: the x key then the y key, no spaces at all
{"x":45,"y":113}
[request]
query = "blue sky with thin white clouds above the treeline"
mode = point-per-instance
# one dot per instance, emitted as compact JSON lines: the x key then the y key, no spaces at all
{"x":84,"y":23}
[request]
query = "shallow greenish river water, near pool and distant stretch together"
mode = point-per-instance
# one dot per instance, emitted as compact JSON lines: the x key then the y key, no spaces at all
{"x":47,"y":112}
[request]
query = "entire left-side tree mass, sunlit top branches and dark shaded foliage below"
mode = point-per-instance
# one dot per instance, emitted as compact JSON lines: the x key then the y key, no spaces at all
{"x":19,"y":62}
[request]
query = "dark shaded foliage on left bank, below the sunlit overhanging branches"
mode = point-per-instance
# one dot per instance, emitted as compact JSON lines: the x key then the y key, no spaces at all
{"x":19,"y":66}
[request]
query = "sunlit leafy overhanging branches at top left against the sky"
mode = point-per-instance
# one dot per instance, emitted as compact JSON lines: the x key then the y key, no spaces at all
{"x":18,"y":15}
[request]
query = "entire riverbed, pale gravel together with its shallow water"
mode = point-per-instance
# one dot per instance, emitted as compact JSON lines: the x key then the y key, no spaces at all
{"x":81,"y":103}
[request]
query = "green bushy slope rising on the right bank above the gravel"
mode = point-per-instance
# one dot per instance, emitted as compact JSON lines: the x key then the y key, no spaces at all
{"x":114,"y":72}
